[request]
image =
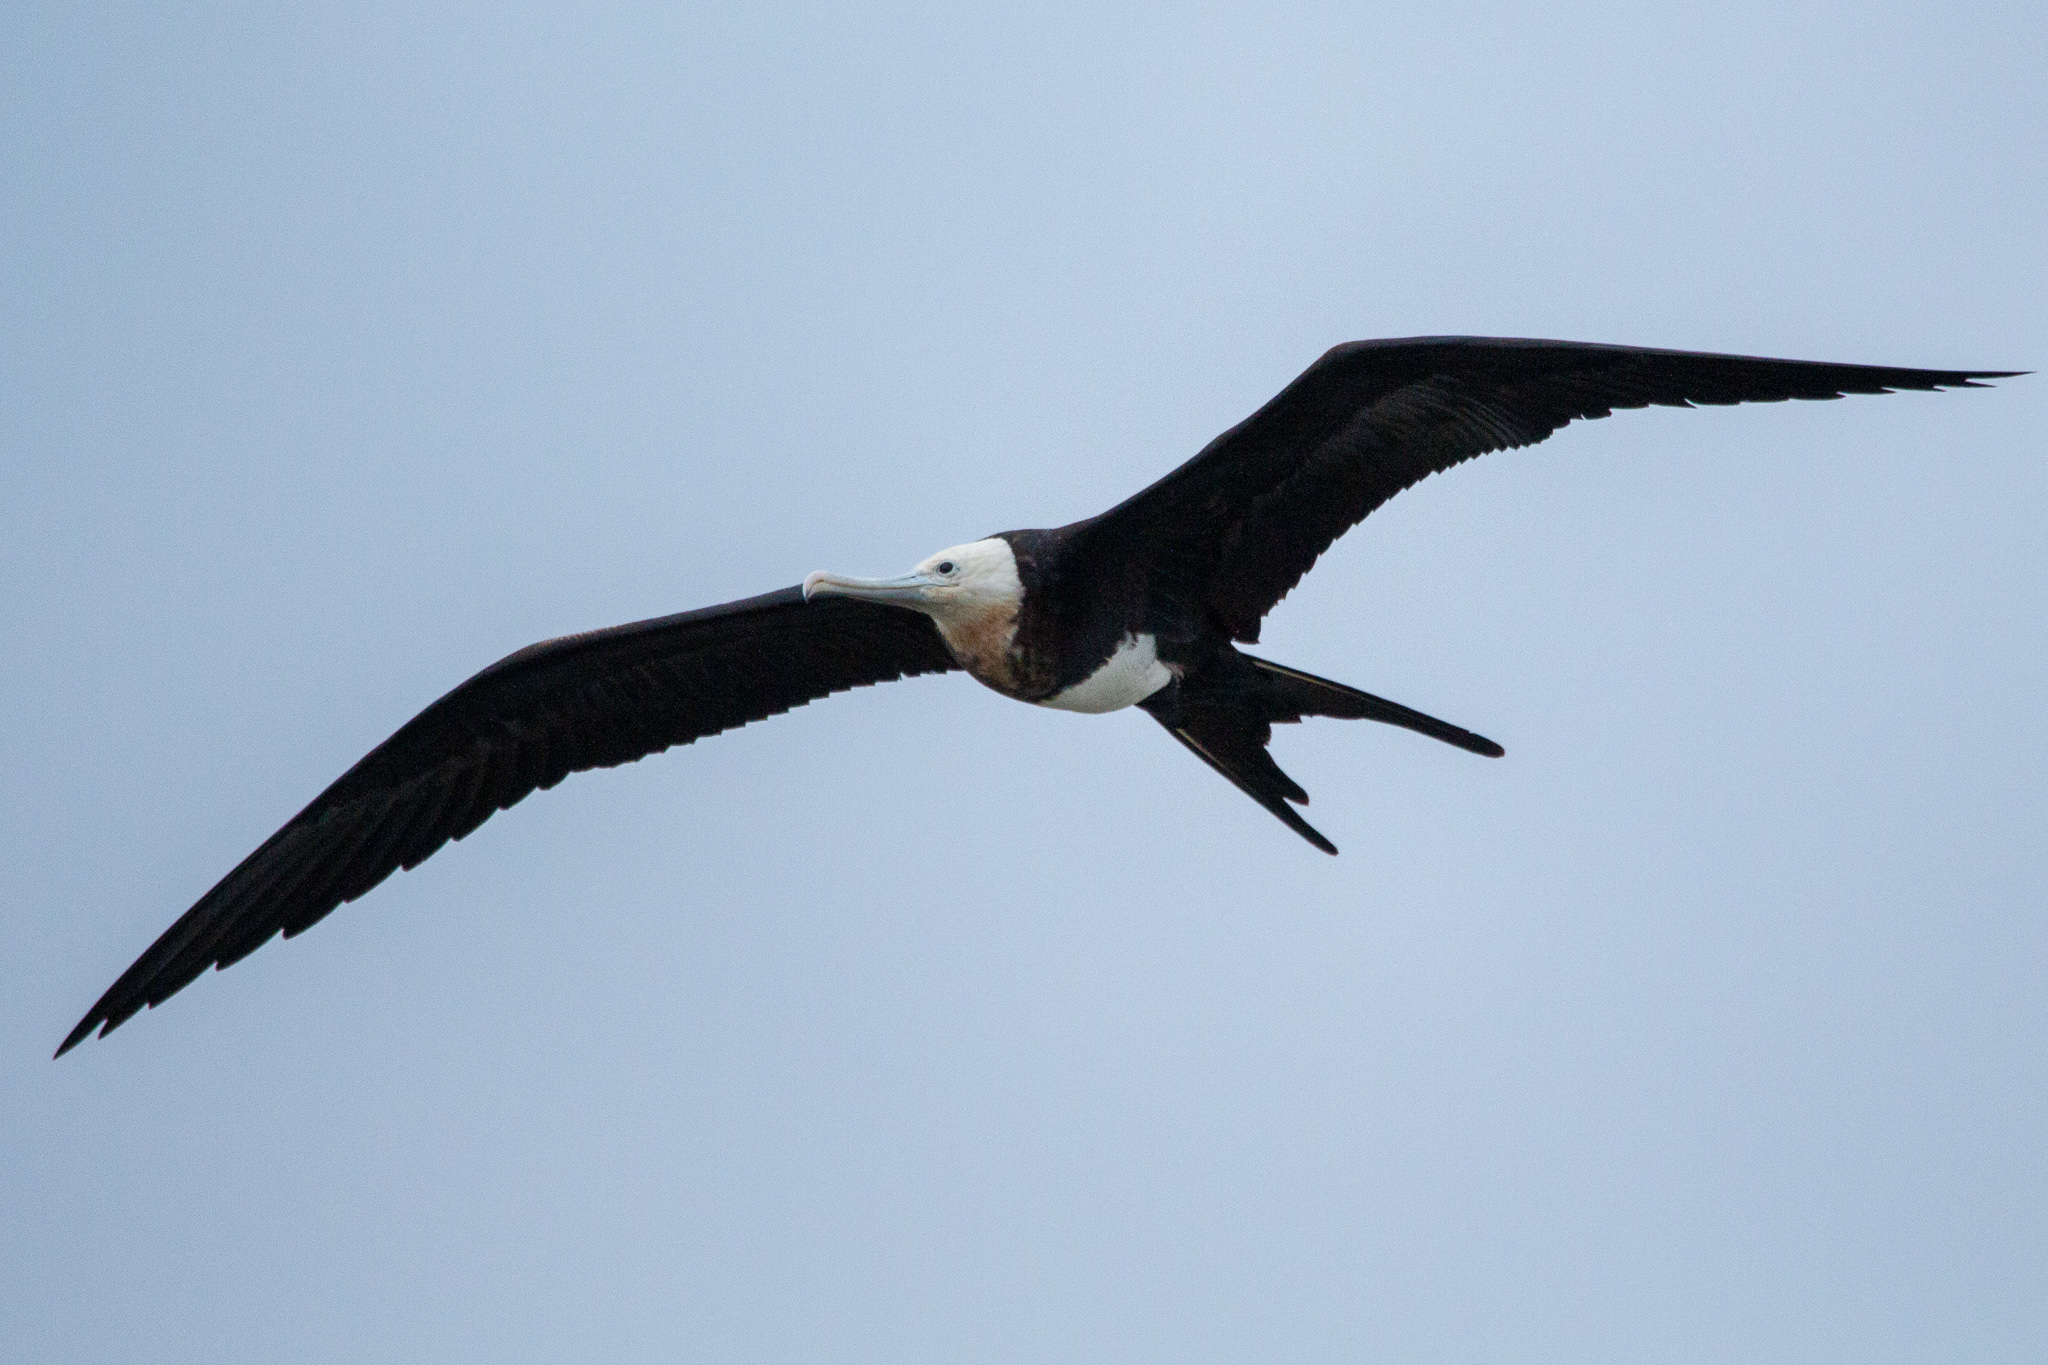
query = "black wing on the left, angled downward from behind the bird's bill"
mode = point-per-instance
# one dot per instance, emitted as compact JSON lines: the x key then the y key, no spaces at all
{"x":525,"y":723}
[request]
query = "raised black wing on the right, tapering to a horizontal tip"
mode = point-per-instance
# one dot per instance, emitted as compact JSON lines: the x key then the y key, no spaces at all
{"x":1232,"y":531}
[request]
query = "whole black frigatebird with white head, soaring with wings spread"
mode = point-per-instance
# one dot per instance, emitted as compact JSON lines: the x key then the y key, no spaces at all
{"x":1138,"y":607}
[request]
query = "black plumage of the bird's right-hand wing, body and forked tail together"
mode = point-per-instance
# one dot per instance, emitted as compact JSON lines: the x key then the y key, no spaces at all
{"x":1201,"y":556}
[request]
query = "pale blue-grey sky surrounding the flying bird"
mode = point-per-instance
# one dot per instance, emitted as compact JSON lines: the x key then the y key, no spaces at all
{"x":347,"y":351}
